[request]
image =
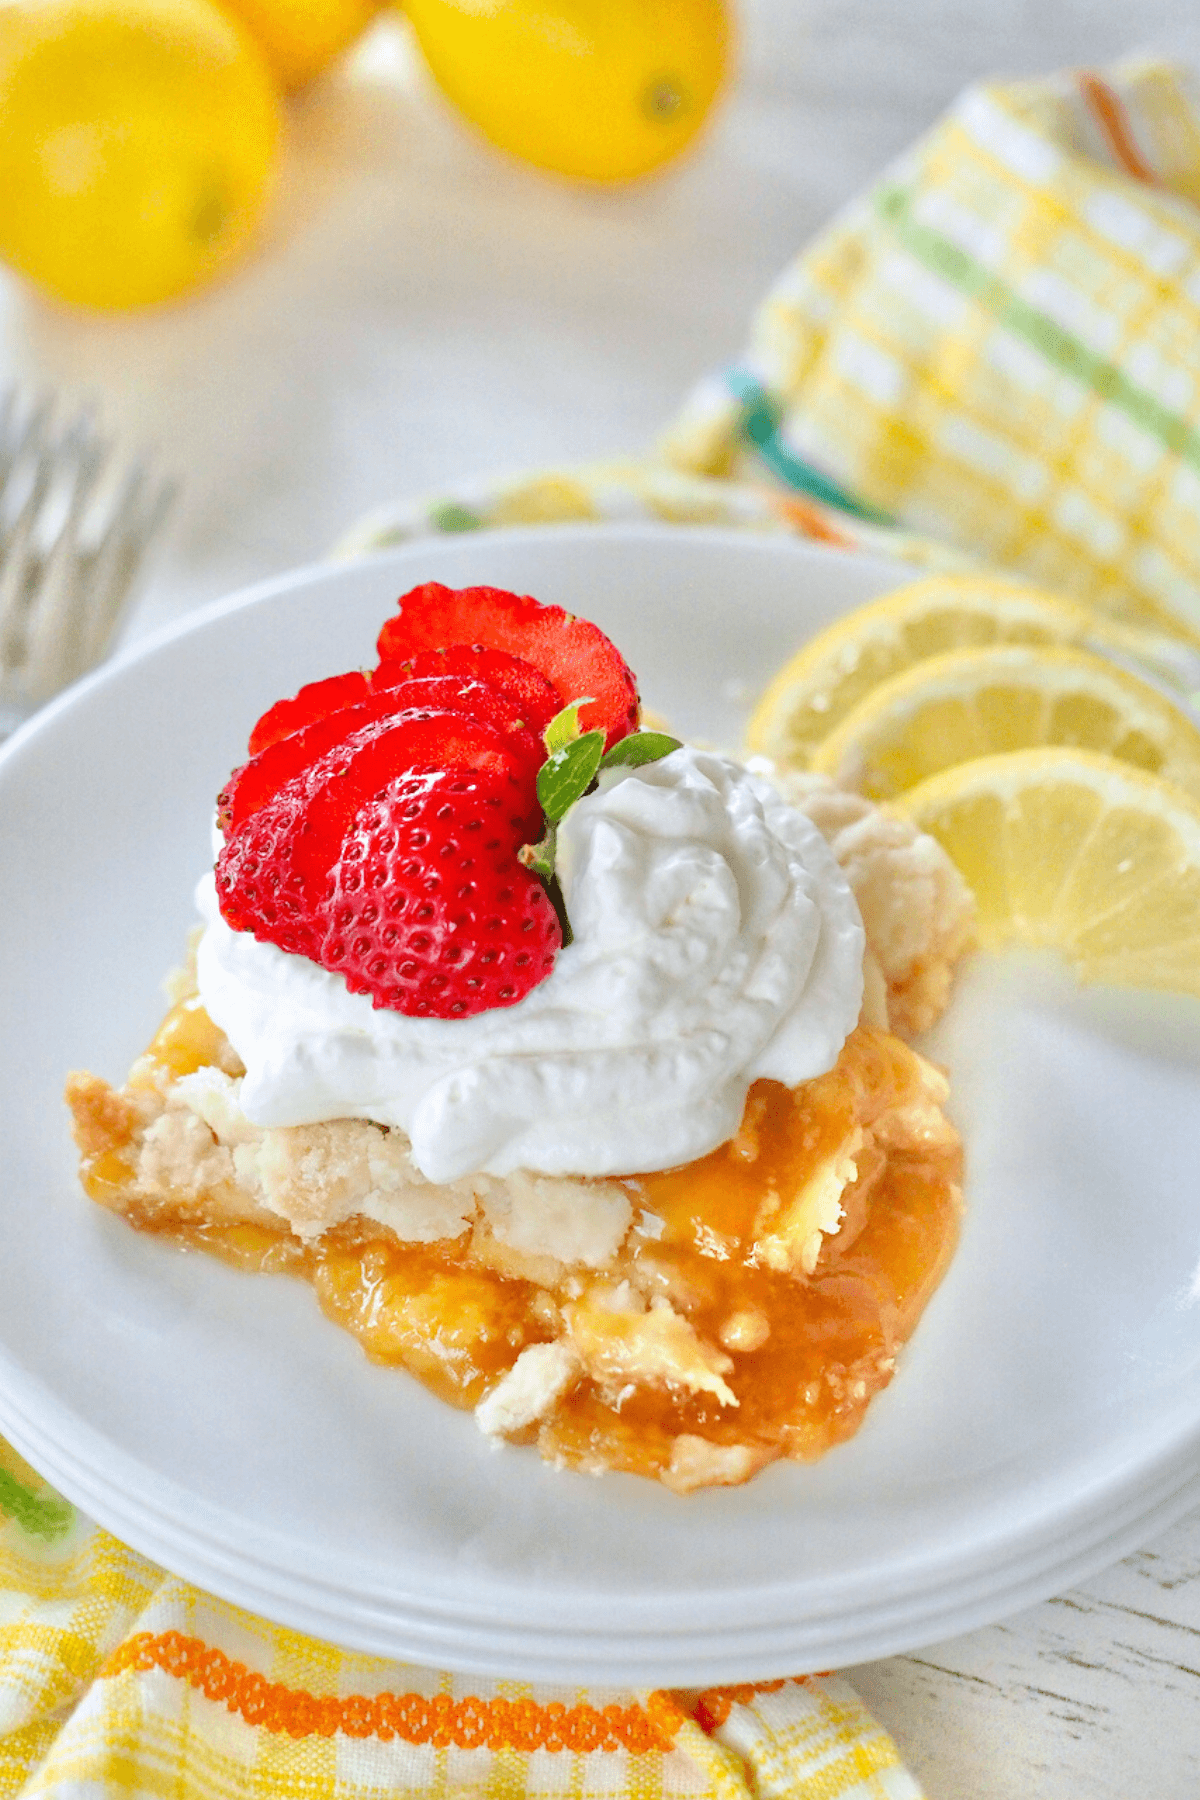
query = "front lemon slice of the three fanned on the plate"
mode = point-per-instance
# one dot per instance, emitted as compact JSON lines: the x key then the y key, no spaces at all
{"x":1080,"y":854}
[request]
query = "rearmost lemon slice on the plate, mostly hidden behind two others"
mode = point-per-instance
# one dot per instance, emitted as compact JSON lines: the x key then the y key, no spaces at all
{"x":839,"y":669}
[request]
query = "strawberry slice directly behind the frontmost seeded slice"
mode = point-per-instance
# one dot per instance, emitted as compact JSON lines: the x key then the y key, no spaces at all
{"x":273,"y":874}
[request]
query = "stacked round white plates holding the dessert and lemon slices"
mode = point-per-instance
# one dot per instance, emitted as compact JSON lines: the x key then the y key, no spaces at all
{"x":1046,"y":1416}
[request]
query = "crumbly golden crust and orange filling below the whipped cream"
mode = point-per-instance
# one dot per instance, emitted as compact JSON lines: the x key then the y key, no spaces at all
{"x":690,"y":1326}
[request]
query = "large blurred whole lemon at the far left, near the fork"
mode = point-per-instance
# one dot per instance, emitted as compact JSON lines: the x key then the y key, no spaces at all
{"x":138,"y":143}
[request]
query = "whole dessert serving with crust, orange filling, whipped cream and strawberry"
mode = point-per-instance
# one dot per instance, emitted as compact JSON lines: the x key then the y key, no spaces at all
{"x":625,"y":1158}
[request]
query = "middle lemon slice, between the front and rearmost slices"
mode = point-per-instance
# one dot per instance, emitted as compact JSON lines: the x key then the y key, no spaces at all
{"x":1008,"y":697}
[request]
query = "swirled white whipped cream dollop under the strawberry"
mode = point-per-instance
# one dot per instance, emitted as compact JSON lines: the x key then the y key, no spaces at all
{"x":715,"y":942}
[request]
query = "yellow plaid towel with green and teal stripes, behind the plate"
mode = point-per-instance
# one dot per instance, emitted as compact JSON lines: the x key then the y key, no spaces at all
{"x":990,"y":359}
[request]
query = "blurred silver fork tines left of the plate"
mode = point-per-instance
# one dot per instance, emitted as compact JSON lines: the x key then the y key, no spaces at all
{"x":75,"y":532}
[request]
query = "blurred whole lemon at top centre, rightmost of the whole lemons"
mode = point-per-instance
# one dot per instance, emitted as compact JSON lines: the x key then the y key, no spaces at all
{"x":598,"y":89}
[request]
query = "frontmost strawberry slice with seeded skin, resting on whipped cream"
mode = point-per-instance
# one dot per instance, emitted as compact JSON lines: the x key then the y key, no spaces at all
{"x":431,"y":912}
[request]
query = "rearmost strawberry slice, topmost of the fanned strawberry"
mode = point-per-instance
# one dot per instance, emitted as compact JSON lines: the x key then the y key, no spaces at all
{"x":573,"y":654}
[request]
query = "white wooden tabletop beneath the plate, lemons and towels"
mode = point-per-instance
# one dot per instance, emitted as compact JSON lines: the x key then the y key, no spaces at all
{"x":424,"y":310}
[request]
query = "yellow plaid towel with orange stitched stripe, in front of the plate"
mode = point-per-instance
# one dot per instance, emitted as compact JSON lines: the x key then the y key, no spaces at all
{"x":121,"y":1680}
